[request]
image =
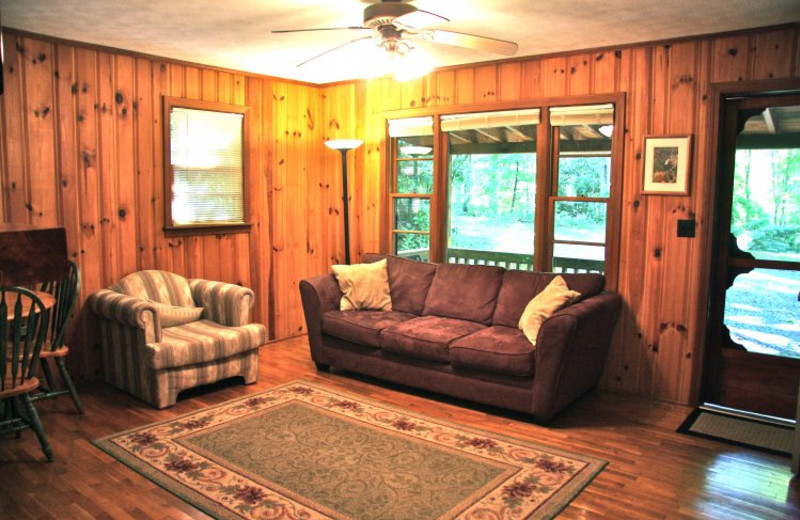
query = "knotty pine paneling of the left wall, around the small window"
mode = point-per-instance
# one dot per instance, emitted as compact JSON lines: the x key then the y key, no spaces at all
{"x":82,"y":145}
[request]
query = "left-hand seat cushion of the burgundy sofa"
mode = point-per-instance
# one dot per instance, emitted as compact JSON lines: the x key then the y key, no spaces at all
{"x":362,"y":327}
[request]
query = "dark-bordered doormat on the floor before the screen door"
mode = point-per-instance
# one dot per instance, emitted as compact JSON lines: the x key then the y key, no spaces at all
{"x":741,"y":431}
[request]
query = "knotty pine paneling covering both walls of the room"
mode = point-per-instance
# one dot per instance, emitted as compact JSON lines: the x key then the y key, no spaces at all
{"x":82,"y":141}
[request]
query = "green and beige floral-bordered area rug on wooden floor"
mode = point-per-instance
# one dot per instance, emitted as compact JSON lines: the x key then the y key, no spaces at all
{"x":305,"y":451}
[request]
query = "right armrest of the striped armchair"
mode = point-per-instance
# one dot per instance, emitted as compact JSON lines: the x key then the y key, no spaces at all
{"x":224,"y":303}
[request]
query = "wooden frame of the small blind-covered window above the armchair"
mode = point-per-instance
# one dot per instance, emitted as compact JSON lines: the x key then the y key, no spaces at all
{"x":171,"y":229}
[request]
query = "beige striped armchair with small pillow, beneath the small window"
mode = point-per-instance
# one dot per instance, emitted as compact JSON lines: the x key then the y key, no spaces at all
{"x":161,"y":333}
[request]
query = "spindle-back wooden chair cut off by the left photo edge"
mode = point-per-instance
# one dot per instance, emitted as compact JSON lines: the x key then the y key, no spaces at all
{"x":23,"y":329}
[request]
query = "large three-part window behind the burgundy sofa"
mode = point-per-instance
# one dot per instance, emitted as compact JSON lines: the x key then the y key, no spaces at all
{"x":507,"y":188}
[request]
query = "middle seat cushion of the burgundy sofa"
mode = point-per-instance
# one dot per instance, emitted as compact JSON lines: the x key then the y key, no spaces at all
{"x":427,"y":337}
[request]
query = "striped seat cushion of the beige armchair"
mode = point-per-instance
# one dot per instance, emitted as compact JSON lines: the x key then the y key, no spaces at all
{"x":202,"y":341}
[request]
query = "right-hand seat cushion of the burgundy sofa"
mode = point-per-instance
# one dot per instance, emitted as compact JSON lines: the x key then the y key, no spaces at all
{"x":502,"y":350}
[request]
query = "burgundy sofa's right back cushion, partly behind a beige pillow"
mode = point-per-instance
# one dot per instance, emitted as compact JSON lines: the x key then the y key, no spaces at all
{"x":519,"y":288}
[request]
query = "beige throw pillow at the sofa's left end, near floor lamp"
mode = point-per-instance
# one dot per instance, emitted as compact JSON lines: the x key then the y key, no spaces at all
{"x":365,"y":286}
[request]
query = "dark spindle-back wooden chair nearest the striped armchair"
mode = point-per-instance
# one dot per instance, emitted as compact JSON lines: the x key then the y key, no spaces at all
{"x":54,"y":351}
